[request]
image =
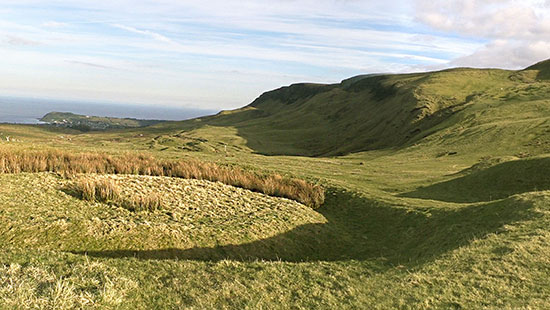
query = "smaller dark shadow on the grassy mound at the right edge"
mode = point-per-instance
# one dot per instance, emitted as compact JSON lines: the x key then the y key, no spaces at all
{"x":497,"y":182}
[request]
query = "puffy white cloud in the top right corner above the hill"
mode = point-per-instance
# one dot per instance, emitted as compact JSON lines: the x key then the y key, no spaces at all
{"x":517,"y":32}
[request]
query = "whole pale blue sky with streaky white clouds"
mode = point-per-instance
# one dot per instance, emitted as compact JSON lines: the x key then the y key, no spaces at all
{"x":221,"y":54}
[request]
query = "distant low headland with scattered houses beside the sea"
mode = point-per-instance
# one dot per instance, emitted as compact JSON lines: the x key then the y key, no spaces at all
{"x":85,"y":123}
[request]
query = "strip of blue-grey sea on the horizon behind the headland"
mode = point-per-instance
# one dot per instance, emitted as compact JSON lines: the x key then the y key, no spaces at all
{"x":29,"y":110}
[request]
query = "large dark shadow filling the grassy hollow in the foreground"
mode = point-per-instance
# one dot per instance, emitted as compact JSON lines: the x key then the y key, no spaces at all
{"x":360,"y":229}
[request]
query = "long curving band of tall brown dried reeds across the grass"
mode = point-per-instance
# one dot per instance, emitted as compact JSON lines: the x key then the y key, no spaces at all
{"x":71,"y":163}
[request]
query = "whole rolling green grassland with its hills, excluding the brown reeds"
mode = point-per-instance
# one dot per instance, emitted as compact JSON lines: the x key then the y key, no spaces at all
{"x":437,"y":197}
